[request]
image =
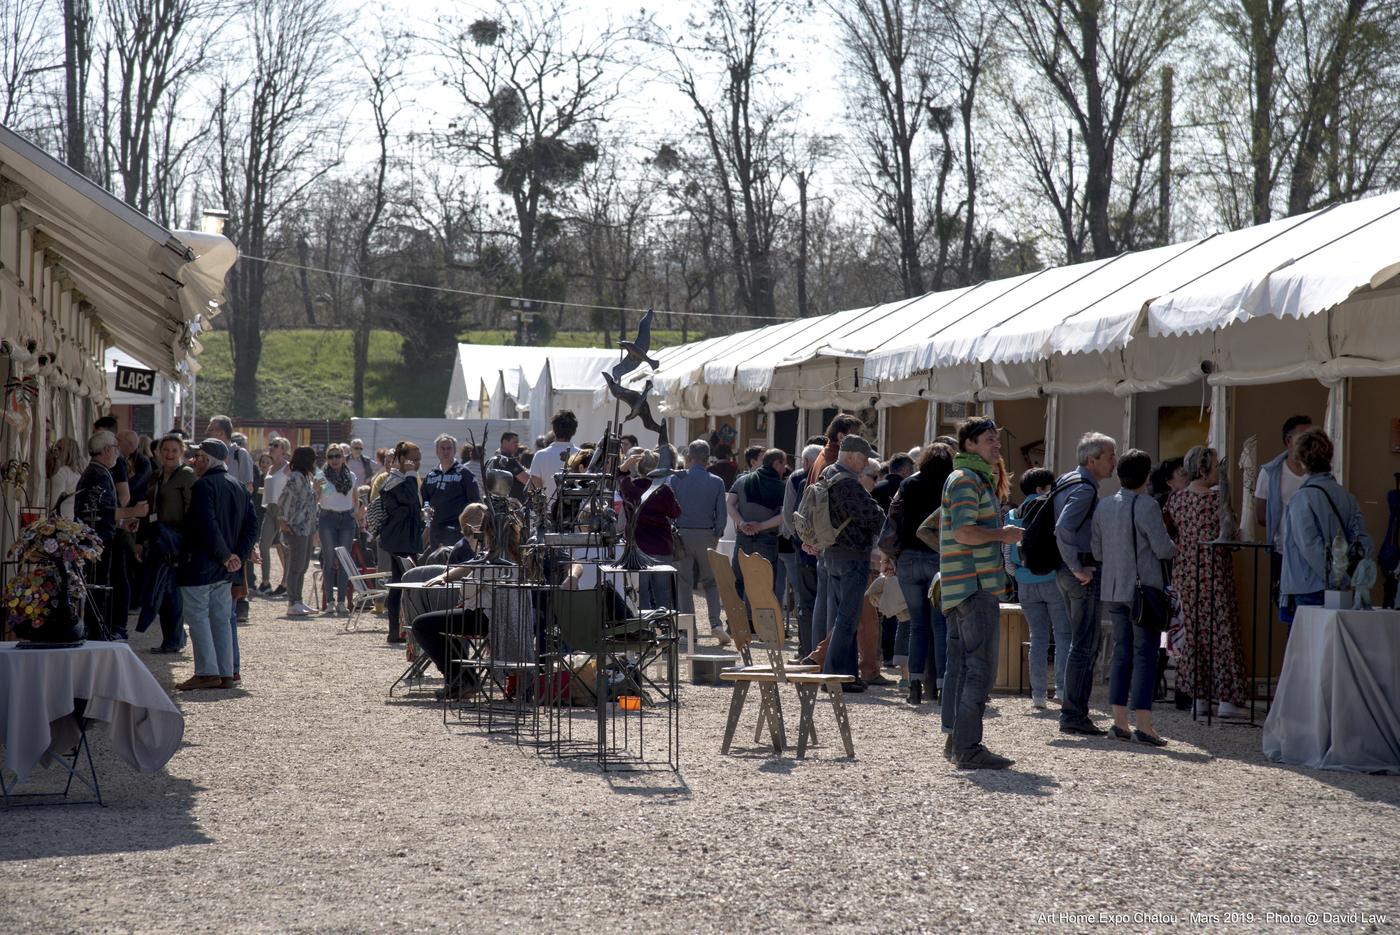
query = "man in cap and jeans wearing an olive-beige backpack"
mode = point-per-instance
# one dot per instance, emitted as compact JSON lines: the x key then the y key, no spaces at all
{"x":848,"y":562}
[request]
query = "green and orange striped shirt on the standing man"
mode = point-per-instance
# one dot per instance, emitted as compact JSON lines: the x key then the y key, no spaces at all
{"x":965,"y":570}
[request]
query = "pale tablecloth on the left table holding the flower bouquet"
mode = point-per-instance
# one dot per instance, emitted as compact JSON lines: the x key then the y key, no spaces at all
{"x":37,"y":691}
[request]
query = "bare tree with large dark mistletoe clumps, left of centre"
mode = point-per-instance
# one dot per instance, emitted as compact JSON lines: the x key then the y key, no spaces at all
{"x":534,"y":97}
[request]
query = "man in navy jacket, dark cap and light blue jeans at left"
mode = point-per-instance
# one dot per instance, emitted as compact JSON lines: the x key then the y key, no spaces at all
{"x":219,"y":528}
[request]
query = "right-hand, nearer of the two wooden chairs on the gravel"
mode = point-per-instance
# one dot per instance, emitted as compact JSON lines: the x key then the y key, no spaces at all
{"x":768,"y":632}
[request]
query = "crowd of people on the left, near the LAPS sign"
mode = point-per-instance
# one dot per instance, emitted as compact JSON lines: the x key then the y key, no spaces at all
{"x":191,"y":531}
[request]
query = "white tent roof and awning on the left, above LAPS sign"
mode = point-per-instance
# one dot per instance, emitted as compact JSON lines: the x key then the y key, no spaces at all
{"x":145,"y":286}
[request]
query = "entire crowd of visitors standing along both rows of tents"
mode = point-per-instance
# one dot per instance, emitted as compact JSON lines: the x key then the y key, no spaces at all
{"x":930,"y":538}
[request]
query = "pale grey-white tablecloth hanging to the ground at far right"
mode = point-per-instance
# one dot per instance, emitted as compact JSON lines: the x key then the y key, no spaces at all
{"x":1338,"y":705}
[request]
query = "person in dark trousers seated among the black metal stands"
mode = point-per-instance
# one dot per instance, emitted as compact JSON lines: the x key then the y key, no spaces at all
{"x":505,"y":615}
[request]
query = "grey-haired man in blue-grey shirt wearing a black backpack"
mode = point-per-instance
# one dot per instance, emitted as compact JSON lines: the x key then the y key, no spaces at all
{"x":1073,"y":500}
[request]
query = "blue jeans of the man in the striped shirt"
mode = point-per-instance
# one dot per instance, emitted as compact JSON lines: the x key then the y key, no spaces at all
{"x":974,"y":639}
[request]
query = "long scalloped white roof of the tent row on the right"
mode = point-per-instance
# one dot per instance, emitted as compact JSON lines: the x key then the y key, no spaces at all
{"x":1137,"y":321}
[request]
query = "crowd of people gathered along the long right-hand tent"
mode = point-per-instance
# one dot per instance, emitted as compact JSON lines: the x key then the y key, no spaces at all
{"x":933,"y":541}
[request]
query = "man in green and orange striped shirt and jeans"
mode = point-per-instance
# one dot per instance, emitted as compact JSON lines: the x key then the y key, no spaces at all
{"x":974,"y":583}
